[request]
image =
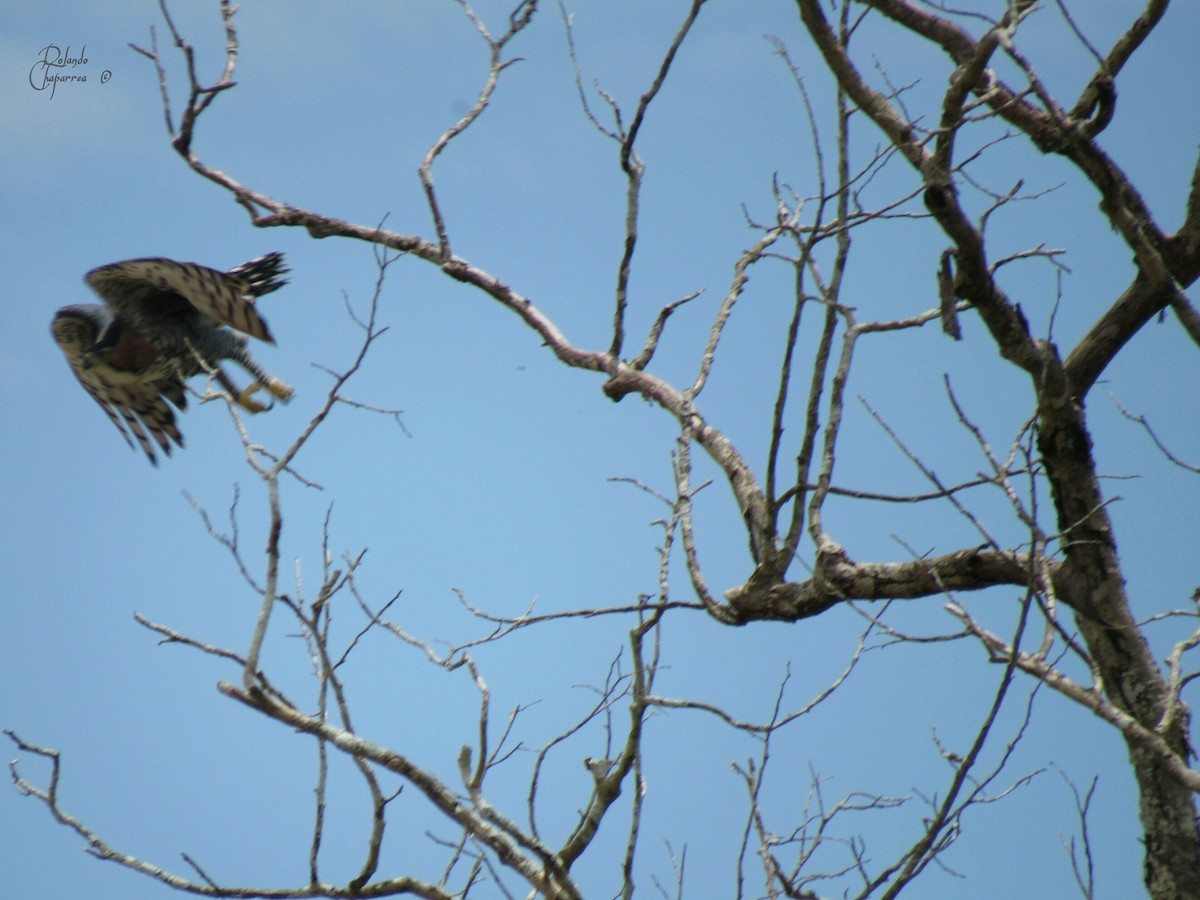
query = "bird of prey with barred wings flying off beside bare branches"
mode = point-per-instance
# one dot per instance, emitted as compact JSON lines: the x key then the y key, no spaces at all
{"x":161,"y":323}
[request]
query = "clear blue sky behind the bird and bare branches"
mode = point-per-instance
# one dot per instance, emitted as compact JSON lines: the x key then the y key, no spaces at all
{"x":499,"y":485}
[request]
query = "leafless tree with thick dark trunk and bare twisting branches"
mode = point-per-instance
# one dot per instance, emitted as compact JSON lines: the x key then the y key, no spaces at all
{"x":1069,"y":626}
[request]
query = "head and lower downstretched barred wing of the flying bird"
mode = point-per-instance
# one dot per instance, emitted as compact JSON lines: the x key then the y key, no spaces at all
{"x":136,"y":407}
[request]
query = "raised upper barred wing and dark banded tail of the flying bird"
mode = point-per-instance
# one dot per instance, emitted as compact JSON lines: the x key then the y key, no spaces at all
{"x":142,"y":290}
